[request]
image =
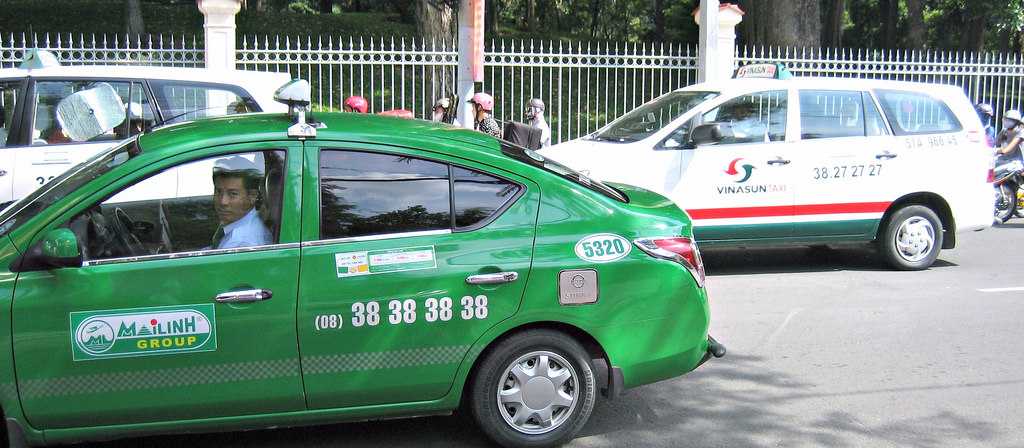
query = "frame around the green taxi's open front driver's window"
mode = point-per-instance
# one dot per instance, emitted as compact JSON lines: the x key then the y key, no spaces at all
{"x":288,"y":237}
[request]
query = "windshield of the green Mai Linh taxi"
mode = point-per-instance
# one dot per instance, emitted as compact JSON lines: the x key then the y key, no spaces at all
{"x":63,"y":186}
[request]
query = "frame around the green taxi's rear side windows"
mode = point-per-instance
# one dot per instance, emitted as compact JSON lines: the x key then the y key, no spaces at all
{"x":414,"y":153}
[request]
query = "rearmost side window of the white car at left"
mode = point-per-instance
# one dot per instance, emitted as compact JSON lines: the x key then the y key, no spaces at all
{"x":181,"y":102}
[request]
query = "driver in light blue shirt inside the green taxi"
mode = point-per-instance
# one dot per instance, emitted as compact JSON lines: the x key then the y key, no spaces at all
{"x":236,"y":194}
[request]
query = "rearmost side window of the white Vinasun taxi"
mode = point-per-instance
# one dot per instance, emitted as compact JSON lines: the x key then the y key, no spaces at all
{"x":914,"y":113}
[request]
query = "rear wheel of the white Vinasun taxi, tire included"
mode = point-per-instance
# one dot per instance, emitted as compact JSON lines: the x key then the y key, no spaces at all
{"x":912,"y":239}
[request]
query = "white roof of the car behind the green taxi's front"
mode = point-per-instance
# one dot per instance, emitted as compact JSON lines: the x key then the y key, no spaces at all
{"x":145,"y":72}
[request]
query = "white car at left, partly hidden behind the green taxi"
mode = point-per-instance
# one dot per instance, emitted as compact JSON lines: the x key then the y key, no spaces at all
{"x":35,"y":148}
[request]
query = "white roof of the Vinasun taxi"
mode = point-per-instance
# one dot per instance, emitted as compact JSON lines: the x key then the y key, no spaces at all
{"x":737,"y":85}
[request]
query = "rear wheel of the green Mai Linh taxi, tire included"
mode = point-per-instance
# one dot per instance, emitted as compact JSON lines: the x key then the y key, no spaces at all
{"x":536,"y":389}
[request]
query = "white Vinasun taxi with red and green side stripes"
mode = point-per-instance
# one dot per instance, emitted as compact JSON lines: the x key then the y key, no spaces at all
{"x":806,"y":161}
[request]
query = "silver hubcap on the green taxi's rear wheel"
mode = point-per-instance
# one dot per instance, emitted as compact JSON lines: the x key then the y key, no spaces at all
{"x":538,"y":392}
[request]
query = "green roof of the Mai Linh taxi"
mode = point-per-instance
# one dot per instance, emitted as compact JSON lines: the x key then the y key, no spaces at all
{"x":366,"y":128}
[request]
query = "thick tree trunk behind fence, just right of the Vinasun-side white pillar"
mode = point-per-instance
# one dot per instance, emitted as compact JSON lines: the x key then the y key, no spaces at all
{"x":795,"y":23}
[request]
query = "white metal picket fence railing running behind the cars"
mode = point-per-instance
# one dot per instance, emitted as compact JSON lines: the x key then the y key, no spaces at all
{"x":584,"y":85}
